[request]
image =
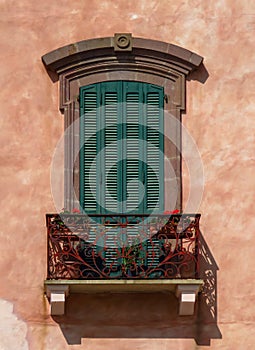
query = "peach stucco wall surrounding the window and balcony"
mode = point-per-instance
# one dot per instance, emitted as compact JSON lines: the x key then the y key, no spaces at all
{"x":219,"y":116}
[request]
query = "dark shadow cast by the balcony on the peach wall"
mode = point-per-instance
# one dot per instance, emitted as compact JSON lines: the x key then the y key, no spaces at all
{"x":144,"y":315}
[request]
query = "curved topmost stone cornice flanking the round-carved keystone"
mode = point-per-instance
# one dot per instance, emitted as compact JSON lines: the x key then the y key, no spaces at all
{"x":141,"y":50}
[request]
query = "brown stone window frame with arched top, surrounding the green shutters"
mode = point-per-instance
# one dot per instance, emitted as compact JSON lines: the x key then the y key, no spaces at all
{"x":103,"y":59}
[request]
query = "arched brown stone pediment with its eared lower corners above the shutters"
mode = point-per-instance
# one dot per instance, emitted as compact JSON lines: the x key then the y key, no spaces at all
{"x":121,"y":57}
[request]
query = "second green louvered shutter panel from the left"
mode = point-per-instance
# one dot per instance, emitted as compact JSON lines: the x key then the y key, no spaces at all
{"x":110,"y":115}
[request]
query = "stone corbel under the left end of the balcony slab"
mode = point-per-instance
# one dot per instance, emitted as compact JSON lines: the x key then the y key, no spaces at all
{"x":57,"y":295}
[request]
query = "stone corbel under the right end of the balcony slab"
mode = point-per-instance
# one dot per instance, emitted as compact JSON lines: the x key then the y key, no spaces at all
{"x":187,"y":295}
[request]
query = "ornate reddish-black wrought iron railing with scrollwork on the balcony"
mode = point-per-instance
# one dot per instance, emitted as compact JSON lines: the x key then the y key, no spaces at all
{"x":123,"y":246}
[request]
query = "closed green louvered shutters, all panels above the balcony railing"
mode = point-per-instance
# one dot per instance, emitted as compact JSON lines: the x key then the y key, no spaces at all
{"x":122,"y":158}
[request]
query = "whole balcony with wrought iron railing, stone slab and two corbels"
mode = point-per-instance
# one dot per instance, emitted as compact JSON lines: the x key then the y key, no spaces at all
{"x":123,"y":253}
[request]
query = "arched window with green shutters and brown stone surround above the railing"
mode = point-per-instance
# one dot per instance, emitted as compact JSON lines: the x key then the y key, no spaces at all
{"x":107,"y":68}
